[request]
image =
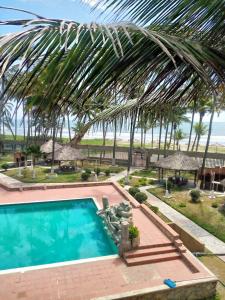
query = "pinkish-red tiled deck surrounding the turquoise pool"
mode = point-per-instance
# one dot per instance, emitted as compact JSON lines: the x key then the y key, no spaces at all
{"x":100,"y":278}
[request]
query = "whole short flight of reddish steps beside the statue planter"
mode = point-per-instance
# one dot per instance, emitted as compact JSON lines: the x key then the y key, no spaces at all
{"x":153,"y":253}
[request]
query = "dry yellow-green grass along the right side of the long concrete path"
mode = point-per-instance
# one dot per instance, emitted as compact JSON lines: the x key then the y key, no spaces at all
{"x":201,"y":213}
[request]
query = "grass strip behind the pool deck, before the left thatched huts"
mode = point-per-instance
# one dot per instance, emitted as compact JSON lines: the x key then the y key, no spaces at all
{"x":41,"y":176}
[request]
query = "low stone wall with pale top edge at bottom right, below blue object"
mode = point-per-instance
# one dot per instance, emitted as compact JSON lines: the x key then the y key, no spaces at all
{"x":191,"y":290}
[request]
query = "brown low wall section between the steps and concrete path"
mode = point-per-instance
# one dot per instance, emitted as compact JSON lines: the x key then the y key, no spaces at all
{"x":190,"y":241}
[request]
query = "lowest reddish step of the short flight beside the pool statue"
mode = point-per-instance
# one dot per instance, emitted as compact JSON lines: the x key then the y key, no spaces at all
{"x":135,"y":261}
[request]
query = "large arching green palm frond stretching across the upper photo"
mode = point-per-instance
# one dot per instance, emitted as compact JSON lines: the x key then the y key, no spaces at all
{"x":109,"y":52}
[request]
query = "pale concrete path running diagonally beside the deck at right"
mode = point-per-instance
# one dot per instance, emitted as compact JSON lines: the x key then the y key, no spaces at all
{"x":211,"y":242}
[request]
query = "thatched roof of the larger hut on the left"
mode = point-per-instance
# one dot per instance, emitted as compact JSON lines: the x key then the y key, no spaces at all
{"x":67,"y":153}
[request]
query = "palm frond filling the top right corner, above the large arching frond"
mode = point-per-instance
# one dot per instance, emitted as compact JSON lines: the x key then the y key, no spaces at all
{"x":183,"y":16}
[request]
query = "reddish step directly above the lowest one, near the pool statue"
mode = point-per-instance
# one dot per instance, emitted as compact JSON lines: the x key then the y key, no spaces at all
{"x":150,"y":251}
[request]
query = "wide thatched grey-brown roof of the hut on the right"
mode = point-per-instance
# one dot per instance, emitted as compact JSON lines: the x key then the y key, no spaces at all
{"x":178,"y":162}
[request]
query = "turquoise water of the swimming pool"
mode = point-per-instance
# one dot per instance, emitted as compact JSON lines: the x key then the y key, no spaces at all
{"x":50,"y":232}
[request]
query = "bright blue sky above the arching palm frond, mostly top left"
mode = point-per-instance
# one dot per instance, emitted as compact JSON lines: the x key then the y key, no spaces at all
{"x":77,"y":10}
